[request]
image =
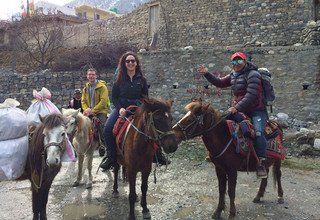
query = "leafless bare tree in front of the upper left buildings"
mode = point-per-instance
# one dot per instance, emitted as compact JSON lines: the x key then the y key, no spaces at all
{"x":38,"y":39}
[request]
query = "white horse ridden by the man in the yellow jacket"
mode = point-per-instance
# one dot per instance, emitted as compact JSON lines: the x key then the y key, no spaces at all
{"x":83,"y":141}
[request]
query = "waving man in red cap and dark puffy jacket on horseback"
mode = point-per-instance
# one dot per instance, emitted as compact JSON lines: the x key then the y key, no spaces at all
{"x":246,"y":86}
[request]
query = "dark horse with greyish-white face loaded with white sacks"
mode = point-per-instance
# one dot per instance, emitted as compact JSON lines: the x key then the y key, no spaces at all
{"x":47,"y":145}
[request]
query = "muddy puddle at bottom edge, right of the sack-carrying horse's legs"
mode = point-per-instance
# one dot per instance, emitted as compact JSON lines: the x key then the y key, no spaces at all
{"x":82,"y":211}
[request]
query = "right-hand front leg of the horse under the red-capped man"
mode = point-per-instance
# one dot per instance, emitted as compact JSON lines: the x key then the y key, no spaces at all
{"x":232,"y":183}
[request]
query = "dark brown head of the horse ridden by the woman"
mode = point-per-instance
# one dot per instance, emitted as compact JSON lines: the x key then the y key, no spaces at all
{"x":159,"y":121}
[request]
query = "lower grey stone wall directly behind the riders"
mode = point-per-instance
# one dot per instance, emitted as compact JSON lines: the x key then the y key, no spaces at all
{"x":172,"y":75}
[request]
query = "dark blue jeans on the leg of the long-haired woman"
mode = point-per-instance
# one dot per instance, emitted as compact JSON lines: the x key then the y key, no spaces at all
{"x":109,"y":139}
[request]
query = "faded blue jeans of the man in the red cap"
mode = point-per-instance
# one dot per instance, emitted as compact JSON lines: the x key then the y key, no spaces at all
{"x":259,"y":120}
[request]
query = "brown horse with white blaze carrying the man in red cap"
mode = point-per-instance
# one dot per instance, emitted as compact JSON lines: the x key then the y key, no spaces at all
{"x":203,"y":120}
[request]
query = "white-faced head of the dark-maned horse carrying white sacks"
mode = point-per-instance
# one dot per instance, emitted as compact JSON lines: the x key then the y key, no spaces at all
{"x":51,"y":133}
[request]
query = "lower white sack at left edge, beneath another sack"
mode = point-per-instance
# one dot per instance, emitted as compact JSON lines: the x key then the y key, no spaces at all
{"x":13,"y":158}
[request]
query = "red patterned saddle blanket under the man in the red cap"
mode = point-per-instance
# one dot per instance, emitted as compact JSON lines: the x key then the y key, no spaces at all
{"x":242,"y":128}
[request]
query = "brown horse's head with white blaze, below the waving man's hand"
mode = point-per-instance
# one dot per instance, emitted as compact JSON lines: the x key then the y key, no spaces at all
{"x":200,"y":118}
